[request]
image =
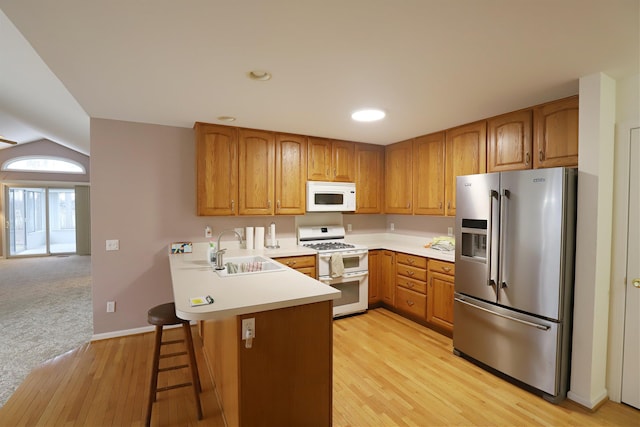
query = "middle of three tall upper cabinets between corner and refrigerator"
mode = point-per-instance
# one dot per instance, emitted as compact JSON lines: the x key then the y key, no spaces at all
{"x":428,"y":174}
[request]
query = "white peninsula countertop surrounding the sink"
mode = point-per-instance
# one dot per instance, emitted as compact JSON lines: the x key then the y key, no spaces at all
{"x":192,"y":276}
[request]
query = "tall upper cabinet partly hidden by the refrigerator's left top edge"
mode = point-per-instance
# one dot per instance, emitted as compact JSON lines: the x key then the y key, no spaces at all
{"x":466,"y":154}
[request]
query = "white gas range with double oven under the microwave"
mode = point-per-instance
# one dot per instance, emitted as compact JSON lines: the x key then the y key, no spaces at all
{"x":341,"y":265}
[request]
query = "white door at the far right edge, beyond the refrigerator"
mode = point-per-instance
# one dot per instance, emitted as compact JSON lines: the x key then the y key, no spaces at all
{"x":631,"y":352}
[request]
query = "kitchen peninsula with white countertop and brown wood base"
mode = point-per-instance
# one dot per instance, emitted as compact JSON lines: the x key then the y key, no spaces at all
{"x":283,"y":376}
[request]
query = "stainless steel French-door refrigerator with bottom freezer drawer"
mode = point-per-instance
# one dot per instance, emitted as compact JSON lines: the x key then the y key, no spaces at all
{"x":515,"y":245}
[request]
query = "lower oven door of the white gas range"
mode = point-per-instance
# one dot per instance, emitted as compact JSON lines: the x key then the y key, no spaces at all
{"x":355,"y":292}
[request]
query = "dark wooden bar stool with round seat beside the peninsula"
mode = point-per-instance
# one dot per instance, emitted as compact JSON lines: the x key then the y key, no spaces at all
{"x":165,"y":315}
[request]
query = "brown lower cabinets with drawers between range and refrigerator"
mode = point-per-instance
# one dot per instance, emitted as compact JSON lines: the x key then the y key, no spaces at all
{"x":416,"y":287}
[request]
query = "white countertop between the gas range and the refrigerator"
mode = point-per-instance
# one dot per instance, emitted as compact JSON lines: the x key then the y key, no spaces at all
{"x":400,"y":243}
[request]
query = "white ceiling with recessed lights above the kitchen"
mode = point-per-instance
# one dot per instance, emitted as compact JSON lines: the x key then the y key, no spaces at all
{"x":431,"y":64}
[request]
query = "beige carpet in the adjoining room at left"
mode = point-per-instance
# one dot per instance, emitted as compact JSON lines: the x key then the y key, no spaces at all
{"x":45,"y":311}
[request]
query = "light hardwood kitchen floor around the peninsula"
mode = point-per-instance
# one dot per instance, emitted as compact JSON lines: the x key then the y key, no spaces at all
{"x":388,"y":371}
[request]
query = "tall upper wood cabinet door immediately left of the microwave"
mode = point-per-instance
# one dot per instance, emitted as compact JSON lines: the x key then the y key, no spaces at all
{"x":291,"y":174}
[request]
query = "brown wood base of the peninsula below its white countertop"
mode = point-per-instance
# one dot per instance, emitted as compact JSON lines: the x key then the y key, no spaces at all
{"x":285,"y":377}
